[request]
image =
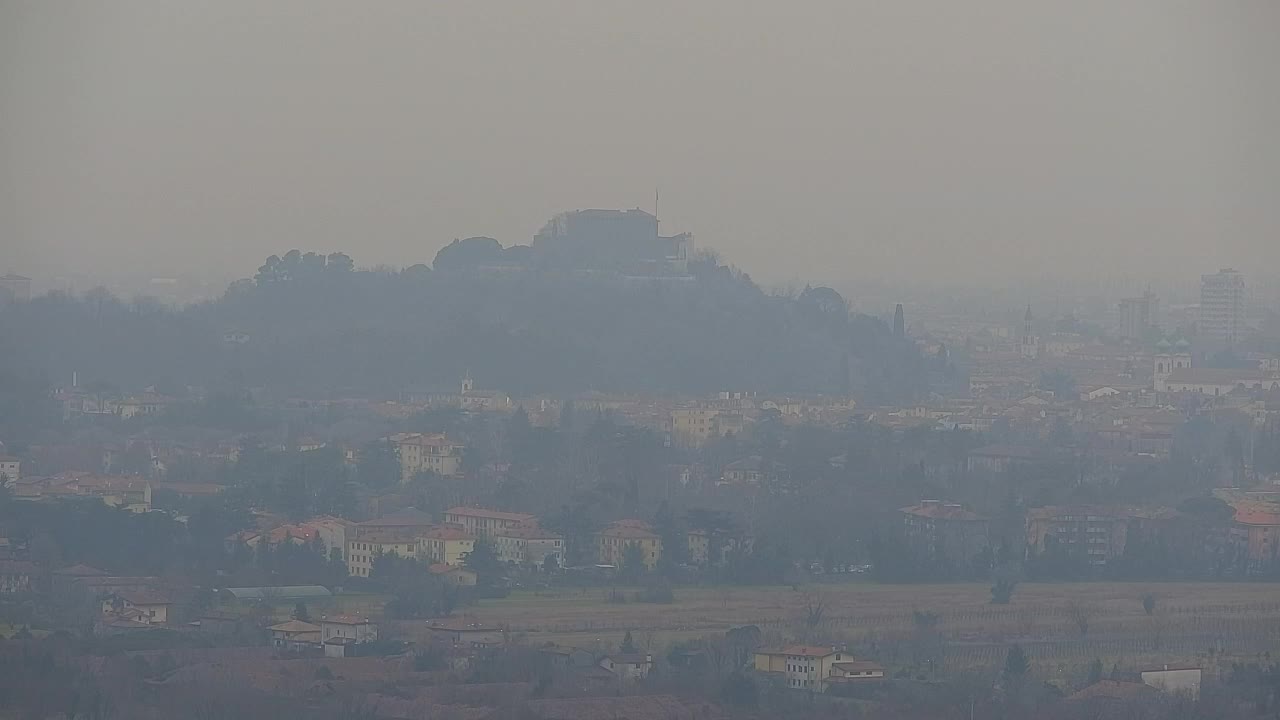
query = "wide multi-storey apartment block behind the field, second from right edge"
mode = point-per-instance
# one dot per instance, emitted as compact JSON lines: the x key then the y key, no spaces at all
{"x":1095,"y":532}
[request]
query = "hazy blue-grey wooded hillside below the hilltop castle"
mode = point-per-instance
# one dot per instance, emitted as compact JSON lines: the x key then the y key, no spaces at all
{"x":308,"y":323}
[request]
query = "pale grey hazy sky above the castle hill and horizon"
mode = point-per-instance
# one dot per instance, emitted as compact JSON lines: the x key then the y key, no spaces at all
{"x":822,"y":140}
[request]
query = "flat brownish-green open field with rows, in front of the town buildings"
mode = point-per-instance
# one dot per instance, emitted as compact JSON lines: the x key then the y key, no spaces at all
{"x":1066,"y":623}
